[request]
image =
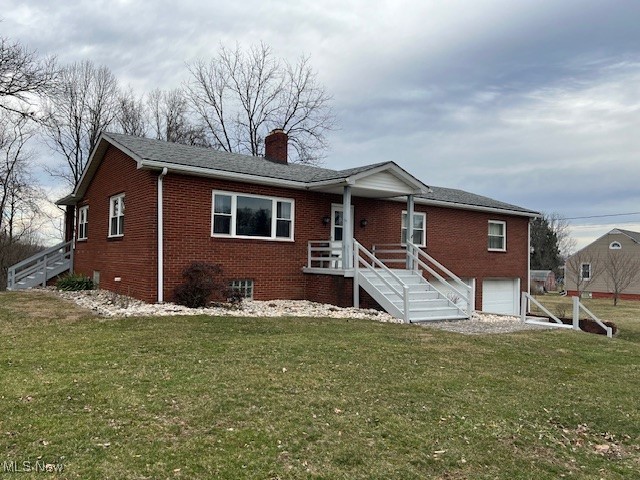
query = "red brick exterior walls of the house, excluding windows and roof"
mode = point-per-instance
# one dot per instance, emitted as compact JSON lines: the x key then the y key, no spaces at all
{"x":456,"y":238}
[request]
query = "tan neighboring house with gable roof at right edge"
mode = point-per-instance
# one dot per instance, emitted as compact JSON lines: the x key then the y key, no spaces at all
{"x":589,"y":271}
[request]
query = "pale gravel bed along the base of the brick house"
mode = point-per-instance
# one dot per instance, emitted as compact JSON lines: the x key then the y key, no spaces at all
{"x":108,"y":304}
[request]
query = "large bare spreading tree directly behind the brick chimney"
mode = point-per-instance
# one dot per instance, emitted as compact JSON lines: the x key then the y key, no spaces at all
{"x":242,"y":95}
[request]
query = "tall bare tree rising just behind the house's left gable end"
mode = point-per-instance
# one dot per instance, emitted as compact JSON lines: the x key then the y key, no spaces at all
{"x":85,"y":103}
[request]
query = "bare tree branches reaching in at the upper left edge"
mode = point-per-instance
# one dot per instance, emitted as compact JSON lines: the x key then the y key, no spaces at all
{"x":23,"y":77}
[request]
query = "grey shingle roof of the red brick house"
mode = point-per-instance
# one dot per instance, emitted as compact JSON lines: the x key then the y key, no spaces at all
{"x":208,"y":158}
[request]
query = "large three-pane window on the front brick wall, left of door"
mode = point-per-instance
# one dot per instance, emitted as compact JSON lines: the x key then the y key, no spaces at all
{"x":249,"y":216}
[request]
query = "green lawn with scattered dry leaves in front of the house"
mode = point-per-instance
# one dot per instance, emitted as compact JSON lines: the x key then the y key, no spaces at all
{"x":203,"y":397}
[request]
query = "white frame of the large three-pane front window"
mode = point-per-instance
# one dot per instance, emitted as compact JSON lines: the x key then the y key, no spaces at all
{"x":233,"y":216}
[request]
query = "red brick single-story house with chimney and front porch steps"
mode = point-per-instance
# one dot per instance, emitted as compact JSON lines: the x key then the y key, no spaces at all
{"x":286,"y":231}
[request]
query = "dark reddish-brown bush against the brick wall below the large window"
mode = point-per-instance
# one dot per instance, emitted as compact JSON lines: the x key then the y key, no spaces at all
{"x":201,"y":285}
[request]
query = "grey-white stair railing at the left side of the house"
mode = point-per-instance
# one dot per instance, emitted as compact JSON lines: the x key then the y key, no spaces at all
{"x":42,"y":266}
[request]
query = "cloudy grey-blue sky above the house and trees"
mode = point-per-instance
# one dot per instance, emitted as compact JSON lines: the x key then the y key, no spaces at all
{"x":532,"y":102}
